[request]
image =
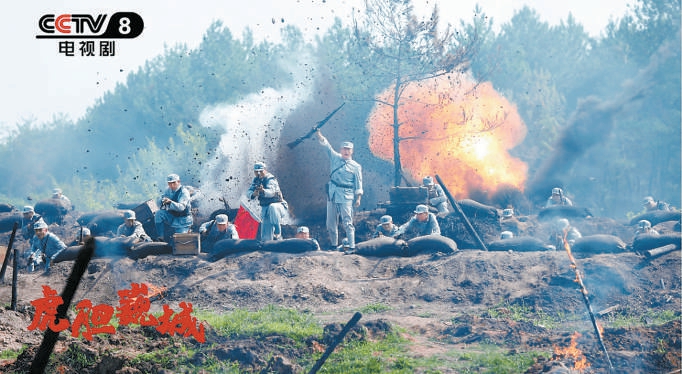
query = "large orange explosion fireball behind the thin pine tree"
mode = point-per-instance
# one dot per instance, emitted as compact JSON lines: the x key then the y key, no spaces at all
{"x":455,"y":128}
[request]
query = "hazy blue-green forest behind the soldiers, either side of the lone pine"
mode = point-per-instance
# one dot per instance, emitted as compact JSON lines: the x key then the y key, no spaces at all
{"x":148,"y":126}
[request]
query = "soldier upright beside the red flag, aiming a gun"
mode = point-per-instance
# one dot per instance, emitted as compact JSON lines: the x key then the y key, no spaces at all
{"x":265,"y":188}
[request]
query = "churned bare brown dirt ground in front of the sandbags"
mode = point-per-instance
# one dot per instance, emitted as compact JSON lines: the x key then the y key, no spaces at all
{"x":443,"y":301}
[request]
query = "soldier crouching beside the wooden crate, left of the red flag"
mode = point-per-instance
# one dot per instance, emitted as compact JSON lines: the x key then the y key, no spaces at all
{"x":175,"y":210}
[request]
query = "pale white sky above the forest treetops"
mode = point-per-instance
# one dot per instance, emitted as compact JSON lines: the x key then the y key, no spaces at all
{"x":39,"y":83}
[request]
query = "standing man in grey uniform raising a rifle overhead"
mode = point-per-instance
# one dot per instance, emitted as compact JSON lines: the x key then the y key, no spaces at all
{"x":344,"y":190}
